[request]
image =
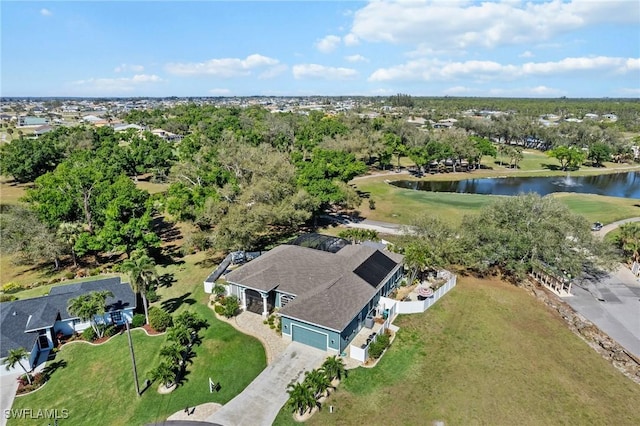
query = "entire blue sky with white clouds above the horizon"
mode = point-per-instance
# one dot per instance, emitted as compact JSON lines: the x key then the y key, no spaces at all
{"x":584,"y":48}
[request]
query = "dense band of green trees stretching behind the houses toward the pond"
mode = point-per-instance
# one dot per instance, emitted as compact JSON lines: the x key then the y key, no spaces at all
{"x":242,"y":177}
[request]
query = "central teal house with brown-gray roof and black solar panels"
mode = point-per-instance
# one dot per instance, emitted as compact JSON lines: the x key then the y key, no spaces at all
{"x":323,"y":298}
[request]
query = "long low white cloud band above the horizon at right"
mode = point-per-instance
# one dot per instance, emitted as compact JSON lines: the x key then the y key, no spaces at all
{"x":435,"y":69}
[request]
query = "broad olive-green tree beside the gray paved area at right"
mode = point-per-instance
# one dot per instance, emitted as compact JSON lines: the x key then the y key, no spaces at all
{"x":516,"y":233}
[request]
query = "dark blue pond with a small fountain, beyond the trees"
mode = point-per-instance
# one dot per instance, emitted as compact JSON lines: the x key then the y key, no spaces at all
{"x":626,"y":185}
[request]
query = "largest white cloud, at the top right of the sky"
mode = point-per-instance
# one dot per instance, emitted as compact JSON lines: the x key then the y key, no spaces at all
{"x":460,"y":24}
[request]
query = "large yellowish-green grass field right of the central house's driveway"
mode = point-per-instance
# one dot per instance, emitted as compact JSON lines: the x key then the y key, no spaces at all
{"x":487,"y":353}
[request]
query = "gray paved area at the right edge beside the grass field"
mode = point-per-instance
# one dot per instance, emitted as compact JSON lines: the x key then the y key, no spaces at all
{"x":611,"y":302}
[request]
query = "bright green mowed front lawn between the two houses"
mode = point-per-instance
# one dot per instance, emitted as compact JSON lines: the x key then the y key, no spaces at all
{"x":96,"y":385}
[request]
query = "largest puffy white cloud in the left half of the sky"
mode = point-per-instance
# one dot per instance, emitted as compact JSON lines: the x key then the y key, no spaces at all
{"x":223,"y":67}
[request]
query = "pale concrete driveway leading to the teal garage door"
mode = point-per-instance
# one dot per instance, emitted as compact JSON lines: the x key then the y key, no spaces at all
{"x":260,"y":402}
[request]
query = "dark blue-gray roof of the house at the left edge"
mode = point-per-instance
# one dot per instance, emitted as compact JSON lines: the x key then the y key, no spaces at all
{"x":20,"y":319}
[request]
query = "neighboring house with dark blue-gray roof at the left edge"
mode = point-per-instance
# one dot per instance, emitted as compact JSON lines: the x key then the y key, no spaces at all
{"x":34,"y":323}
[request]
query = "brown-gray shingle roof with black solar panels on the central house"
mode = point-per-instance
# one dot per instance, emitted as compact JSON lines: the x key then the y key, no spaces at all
{"x":328,"y":290}
